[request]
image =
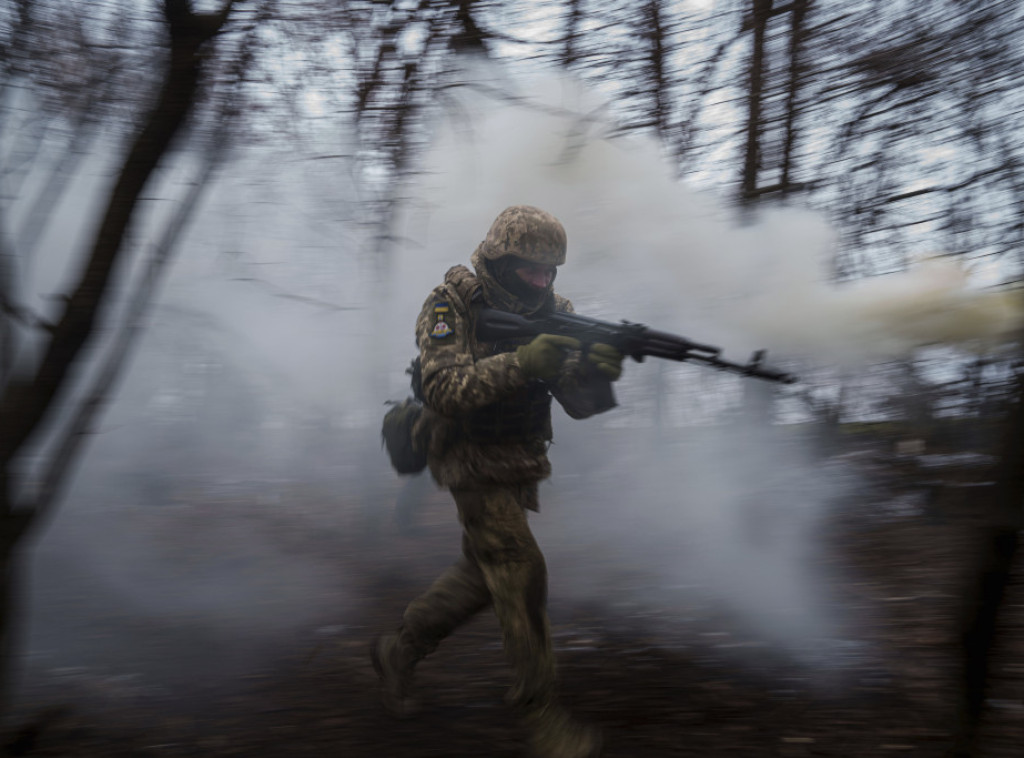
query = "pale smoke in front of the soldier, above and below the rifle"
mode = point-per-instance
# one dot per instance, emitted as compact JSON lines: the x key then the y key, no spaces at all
{"x":696,"y":517}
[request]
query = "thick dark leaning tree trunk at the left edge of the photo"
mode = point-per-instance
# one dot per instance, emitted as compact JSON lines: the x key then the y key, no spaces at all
{"x":28,"y":402}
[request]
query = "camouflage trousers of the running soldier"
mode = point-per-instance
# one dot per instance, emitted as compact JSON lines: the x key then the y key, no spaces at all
{"x":501,"y":567}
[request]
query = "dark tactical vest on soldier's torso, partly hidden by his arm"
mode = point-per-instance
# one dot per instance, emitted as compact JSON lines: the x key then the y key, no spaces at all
{"x":527,"y":414}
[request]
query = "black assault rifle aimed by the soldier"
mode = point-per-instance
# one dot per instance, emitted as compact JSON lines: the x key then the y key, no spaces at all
{"x":634,"y":341}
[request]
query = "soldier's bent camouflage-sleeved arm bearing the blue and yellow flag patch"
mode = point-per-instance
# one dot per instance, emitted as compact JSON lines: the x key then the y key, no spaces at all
{"x":453,"y":383}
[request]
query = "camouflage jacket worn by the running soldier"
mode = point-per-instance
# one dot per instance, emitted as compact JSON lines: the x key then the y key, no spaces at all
{"x":488,"y":424}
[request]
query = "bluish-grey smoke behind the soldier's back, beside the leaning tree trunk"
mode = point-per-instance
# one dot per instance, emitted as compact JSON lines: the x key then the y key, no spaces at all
{"x":174,"y":561}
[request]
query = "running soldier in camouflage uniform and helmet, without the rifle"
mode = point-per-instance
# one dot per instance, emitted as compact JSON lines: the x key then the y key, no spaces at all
{"x":488,"y":427}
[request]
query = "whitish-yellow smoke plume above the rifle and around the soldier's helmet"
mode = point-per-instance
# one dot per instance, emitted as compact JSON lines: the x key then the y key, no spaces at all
{"x":643,"y":245}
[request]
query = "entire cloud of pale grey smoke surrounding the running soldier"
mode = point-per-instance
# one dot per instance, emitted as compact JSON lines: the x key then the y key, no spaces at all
{"x":275,"y":346}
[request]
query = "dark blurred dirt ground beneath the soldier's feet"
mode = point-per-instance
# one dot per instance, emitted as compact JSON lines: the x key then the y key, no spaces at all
{"x":657,"y":687}
